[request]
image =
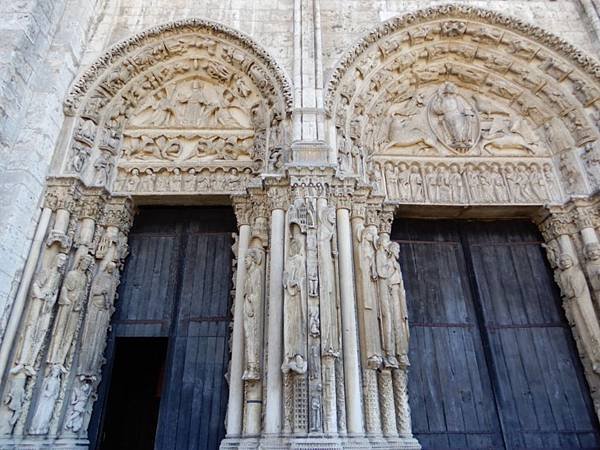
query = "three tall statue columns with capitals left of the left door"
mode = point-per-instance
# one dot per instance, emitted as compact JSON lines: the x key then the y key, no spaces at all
{"x":70,"y":302}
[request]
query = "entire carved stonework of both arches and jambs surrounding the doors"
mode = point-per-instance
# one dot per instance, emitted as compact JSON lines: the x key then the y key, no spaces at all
{"x":302,"y":214}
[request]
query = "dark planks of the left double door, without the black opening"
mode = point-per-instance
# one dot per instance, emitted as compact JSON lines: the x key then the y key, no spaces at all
{"x":177,"y":283}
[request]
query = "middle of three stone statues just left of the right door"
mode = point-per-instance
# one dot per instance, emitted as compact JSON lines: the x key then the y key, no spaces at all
{"x":385,"y":271}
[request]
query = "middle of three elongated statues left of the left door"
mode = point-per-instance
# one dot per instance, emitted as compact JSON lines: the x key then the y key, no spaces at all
{"x":70,"y":307}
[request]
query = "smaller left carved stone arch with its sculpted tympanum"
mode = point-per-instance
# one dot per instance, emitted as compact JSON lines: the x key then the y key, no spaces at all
{"x":190,"y":107}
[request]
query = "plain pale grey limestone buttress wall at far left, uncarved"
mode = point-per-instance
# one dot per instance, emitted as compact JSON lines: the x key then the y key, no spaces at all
{"x":41,"y":42}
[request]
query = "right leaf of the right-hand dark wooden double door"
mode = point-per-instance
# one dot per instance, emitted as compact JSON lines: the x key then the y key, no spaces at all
{"x":543,"y":398}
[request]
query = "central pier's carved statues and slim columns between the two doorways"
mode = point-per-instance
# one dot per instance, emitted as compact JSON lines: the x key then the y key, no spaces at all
{"x":313,"y":380}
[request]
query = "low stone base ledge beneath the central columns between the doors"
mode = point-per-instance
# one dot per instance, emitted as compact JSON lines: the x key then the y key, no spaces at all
{"x":320,"y":442}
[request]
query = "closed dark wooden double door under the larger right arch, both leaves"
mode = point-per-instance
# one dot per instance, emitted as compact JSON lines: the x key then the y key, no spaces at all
{"x":493,"y":361}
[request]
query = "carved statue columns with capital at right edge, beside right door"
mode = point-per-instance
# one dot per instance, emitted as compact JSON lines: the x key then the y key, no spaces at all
{"x":561,"y":231}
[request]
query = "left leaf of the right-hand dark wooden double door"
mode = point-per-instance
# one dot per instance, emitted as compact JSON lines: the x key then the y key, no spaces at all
{"x":450,"y":390}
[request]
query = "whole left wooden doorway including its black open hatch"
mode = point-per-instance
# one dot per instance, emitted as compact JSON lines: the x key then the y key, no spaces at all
{"x":164,"y":385}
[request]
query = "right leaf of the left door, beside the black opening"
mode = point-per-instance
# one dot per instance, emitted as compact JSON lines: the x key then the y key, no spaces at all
{"x":193,"y":411}
